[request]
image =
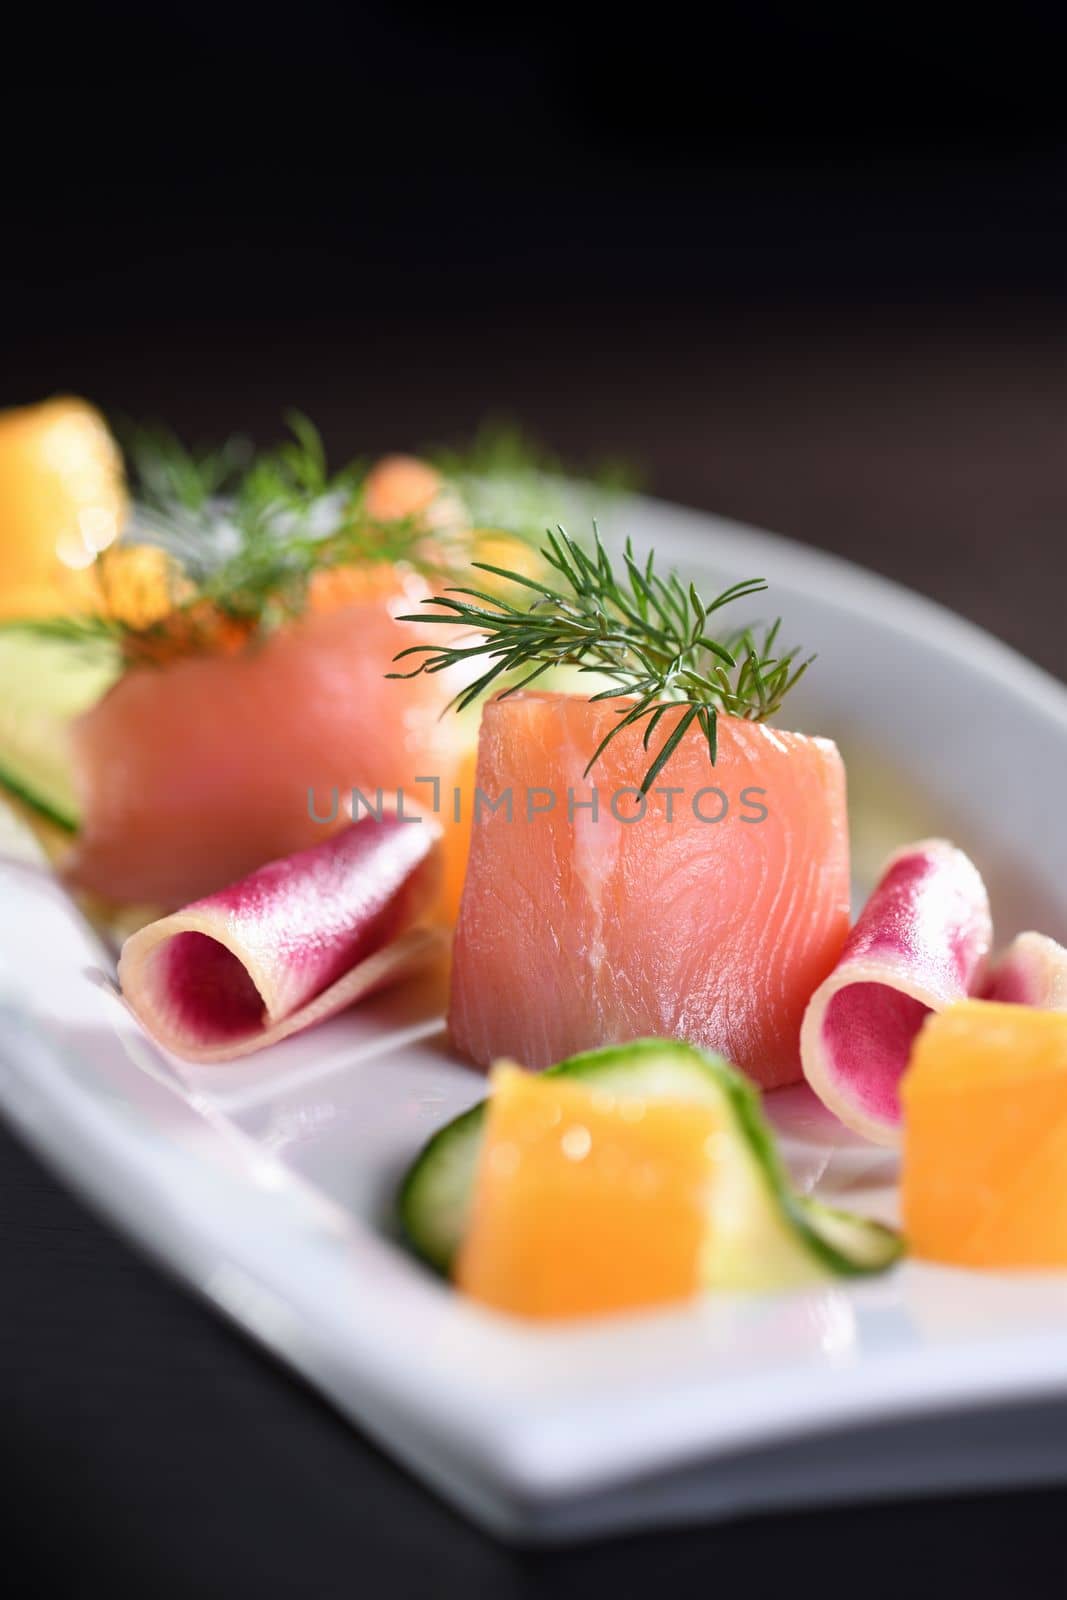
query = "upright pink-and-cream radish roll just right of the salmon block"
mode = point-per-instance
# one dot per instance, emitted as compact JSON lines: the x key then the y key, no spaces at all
{"x":921,"y":945}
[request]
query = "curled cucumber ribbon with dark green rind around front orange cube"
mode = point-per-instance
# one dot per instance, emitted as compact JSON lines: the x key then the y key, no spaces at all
{"x":762,"y":1236}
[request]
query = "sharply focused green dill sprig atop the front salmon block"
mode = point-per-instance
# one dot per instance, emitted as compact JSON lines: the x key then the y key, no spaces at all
{"x":647,"y":633}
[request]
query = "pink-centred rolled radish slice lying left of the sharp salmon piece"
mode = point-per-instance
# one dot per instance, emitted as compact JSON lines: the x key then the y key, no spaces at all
{"x":290,"y":945}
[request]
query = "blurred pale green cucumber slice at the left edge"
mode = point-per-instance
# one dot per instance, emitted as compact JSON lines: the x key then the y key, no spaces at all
{"x":44,"y":684}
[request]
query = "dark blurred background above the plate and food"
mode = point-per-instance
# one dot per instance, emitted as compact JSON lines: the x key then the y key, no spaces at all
{"x":809,"y":271}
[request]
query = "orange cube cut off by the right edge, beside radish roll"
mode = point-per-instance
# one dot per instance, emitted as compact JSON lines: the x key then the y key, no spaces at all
{"x":985,"y":1180}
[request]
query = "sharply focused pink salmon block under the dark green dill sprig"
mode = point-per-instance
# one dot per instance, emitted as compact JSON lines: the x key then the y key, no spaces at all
{"x":706,"y":914}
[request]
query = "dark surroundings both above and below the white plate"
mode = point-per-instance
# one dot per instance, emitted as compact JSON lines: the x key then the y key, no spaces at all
{"x":804,"y":271}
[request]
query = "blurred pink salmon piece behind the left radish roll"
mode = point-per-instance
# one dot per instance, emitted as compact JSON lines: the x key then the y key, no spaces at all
{"x":175,"y":793}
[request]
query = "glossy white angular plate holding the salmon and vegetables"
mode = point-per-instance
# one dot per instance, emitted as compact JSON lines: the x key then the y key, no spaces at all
{"x":268,"y":1185}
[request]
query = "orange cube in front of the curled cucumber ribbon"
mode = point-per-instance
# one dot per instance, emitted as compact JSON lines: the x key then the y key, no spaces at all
{"x":586,"y":1202}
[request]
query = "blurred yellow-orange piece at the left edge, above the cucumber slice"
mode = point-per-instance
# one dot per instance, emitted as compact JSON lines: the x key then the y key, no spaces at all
{"x":62,"y":502}
